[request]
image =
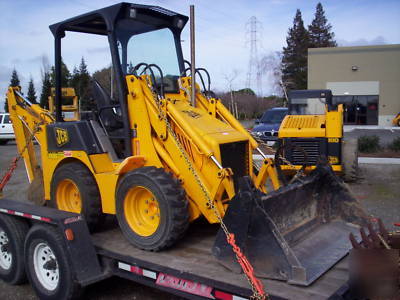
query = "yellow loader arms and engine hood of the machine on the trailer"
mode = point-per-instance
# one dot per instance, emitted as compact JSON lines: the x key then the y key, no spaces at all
{"x":189,"y":141}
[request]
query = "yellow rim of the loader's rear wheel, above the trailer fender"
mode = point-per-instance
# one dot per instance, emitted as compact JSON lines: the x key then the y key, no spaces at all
{"x":68,"y":196}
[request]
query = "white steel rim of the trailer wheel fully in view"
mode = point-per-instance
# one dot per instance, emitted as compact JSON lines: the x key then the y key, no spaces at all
{"x":46,"y":266}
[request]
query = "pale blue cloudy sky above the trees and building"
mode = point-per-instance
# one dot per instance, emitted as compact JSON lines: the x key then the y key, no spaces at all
{"x":222,"y":43}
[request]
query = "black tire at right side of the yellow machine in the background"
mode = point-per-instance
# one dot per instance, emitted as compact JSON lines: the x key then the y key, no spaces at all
{"x":350,"y":159}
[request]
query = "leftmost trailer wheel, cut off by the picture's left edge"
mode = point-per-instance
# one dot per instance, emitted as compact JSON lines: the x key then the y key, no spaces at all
{"x":12,"y":236}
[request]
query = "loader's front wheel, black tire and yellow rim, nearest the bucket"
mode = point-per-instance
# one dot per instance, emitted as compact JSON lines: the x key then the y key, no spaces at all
{"x":152,"y":209}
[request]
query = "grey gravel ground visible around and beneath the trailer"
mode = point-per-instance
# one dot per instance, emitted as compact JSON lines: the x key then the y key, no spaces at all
{"x":378,"y":190}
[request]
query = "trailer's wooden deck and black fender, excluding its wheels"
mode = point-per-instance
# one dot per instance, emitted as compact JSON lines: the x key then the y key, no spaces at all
{"x":188,"y":269}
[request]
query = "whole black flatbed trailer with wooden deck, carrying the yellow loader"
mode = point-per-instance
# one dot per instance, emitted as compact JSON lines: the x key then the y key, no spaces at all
{"x":187,"y":270}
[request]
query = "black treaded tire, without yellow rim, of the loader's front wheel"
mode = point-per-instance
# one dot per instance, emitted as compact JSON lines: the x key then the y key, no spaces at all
{"x":173,"y":205}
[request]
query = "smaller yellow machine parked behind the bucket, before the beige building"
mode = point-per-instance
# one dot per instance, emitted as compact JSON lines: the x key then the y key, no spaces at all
{"x":314,"y":128}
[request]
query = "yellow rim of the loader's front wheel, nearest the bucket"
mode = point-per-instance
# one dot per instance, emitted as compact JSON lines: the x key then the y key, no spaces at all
{"x":142,"y":211}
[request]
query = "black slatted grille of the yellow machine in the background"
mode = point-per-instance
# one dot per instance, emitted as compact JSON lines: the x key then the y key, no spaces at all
{"x":311,"y":149}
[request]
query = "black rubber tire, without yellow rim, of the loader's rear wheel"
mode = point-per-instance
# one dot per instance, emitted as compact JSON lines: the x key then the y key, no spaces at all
{"x":90,"y":195}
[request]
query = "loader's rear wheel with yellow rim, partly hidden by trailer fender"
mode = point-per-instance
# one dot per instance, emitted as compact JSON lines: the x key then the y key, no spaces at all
{"x":74,"y":189}
